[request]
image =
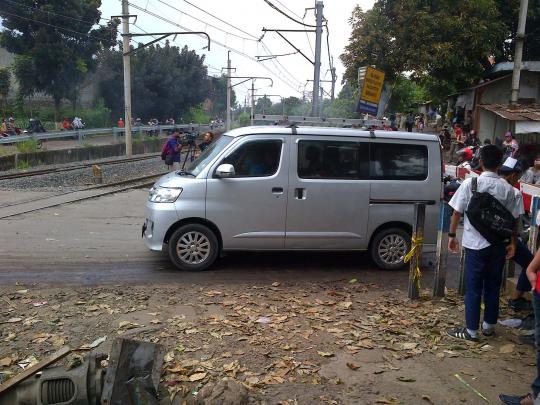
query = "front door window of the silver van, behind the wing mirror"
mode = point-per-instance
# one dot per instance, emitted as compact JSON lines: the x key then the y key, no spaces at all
{"x":256,"y":158}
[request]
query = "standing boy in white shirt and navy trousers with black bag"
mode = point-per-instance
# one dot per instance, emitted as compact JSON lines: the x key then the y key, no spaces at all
{"x":485,"y":248}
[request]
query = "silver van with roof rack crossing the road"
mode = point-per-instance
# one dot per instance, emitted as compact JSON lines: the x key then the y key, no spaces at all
{"x":295,"y":188}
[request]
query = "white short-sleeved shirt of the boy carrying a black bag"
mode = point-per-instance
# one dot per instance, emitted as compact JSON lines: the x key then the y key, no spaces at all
{"x":487,"y":182}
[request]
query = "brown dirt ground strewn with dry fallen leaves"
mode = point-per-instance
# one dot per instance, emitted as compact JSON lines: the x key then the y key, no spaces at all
{"x":336,"y":342}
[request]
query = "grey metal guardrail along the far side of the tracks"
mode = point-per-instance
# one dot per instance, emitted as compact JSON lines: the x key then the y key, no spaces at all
{"x":81,"y":134}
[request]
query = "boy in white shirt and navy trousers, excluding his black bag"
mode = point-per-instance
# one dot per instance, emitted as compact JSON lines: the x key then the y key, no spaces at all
{"x":484,"y":262}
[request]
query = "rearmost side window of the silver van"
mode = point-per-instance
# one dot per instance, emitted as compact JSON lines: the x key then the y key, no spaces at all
{"x":391,"y":161}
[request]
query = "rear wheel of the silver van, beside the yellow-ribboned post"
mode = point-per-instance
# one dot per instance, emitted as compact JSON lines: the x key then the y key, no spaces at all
{"x":389,"y":248}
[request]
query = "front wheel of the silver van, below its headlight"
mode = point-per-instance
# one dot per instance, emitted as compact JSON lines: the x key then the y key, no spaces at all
{"x":193,"y":247}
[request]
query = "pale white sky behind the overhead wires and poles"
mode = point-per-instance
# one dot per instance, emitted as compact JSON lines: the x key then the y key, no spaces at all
{"x":239,"y":31}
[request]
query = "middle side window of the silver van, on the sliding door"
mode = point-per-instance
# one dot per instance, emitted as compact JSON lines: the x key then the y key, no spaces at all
{"x":332,"y":160}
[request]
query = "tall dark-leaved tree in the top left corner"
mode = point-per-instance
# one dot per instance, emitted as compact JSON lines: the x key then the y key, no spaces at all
{"x":58,"y":41}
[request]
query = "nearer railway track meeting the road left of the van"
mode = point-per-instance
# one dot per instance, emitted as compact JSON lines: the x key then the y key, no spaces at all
{"x":38,"y":204}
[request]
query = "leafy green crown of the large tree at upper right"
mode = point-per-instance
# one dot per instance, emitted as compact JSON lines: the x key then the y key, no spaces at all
{"x":444,"y":44}
